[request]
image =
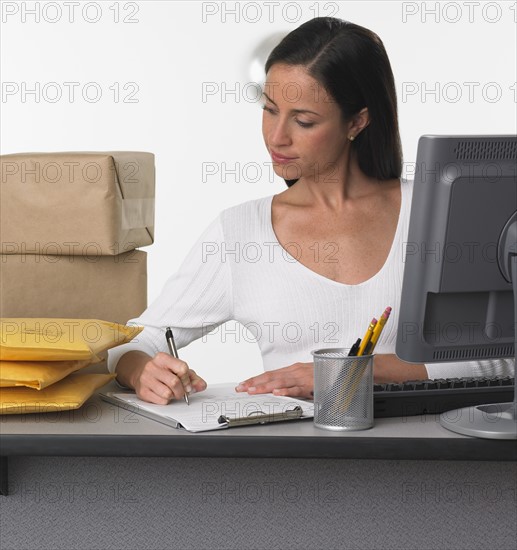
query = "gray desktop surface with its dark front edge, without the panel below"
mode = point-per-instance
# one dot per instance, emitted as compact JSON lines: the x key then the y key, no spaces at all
{"x":102,"y":429}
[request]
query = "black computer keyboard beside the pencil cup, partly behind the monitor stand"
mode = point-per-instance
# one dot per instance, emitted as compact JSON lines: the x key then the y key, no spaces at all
{"x":416,"y":397}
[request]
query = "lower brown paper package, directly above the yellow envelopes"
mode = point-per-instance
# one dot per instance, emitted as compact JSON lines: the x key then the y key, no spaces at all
{"x":111,"y":288}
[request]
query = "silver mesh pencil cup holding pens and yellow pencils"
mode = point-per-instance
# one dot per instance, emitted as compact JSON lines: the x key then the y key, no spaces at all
{"x":343,"y":390}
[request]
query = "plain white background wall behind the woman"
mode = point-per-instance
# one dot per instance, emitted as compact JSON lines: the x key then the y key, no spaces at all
{"x":172,"y":49}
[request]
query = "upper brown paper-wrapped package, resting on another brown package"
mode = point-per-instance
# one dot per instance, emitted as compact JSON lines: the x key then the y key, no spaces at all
{"x":76,"y":203}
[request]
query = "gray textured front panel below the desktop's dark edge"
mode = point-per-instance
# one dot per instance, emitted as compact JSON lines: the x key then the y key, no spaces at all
{"x":91,"y":503}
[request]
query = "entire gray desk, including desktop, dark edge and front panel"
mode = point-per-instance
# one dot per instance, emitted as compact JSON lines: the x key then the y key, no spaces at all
{"x":119,"y":480}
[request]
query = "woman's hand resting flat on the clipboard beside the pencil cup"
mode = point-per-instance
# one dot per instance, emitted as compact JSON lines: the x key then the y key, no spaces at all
{"x":297,"y":380}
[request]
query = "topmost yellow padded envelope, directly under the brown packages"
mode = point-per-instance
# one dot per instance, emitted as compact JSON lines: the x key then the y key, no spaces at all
{"x":48,"y":339}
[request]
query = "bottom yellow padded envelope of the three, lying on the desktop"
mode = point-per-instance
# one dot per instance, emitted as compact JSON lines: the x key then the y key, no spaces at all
{"x":69,"y":393}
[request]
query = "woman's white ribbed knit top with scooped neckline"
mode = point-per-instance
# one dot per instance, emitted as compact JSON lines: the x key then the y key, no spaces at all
{"x":237,"y":270}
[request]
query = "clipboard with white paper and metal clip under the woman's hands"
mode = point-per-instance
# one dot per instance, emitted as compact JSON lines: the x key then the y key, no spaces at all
{"x":216,"y":408}
